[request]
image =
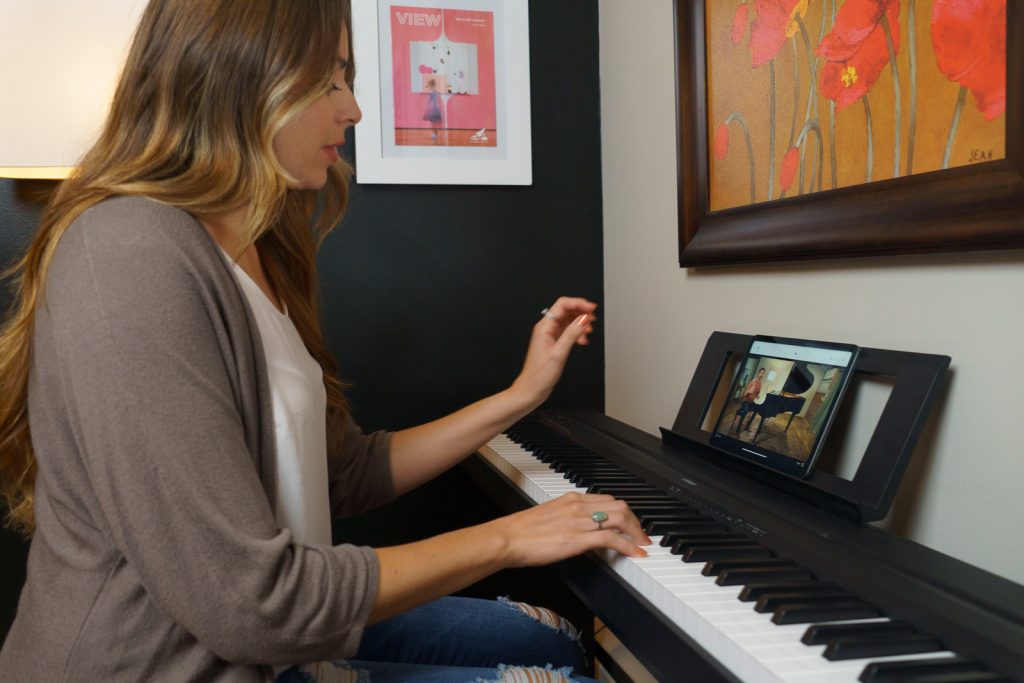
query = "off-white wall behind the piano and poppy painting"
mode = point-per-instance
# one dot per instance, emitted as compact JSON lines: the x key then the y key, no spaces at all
{"x":965,"y":492}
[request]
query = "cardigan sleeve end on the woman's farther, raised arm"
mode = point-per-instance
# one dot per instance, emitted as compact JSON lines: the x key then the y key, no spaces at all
{"x":361,"y":475}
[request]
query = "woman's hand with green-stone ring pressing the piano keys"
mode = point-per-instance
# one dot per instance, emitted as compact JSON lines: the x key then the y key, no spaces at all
{"x":565,"y":528}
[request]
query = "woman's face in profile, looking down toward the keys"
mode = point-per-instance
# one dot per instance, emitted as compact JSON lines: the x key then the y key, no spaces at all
{"x":309,"y":144}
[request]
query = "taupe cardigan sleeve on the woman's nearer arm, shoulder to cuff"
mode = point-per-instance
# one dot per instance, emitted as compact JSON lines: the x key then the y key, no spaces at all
{"x":142,"y":375}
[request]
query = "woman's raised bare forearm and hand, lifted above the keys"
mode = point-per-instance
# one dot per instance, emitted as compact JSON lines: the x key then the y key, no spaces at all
{"x":422,"y":453}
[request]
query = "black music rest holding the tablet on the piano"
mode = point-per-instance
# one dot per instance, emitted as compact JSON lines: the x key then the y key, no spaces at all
{"x":918,"y":380}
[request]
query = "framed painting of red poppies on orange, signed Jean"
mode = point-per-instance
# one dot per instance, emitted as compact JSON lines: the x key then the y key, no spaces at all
{"x":813,"y":130}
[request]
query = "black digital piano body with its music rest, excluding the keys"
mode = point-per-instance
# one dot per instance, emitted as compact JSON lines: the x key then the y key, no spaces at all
{"x":819,"y":525}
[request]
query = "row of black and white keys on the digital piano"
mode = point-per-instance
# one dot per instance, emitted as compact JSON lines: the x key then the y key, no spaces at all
{"x":750,"y":611}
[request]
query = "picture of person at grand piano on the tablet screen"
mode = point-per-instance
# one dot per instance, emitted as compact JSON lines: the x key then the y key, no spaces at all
{"x":781,"y":406}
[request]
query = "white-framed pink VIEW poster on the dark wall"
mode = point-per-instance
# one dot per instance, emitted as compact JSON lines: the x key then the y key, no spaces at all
{"x":445,"y":92}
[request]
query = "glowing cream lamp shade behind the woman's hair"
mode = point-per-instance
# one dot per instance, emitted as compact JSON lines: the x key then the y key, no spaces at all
{"x":60,"y":61}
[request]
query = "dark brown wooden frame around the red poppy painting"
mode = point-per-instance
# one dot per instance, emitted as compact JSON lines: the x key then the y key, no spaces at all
{"x":967,"y":208}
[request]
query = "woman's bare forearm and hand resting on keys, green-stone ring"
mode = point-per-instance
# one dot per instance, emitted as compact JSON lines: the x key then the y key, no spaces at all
{"x":418,"y":573}
